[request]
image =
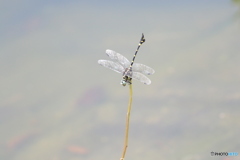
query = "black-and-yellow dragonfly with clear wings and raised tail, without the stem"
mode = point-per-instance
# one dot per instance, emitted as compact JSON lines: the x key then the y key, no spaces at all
{"x":128,"y":70}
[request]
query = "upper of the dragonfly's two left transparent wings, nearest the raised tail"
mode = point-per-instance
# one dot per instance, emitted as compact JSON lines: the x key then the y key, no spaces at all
{"x":118,"y":58}
